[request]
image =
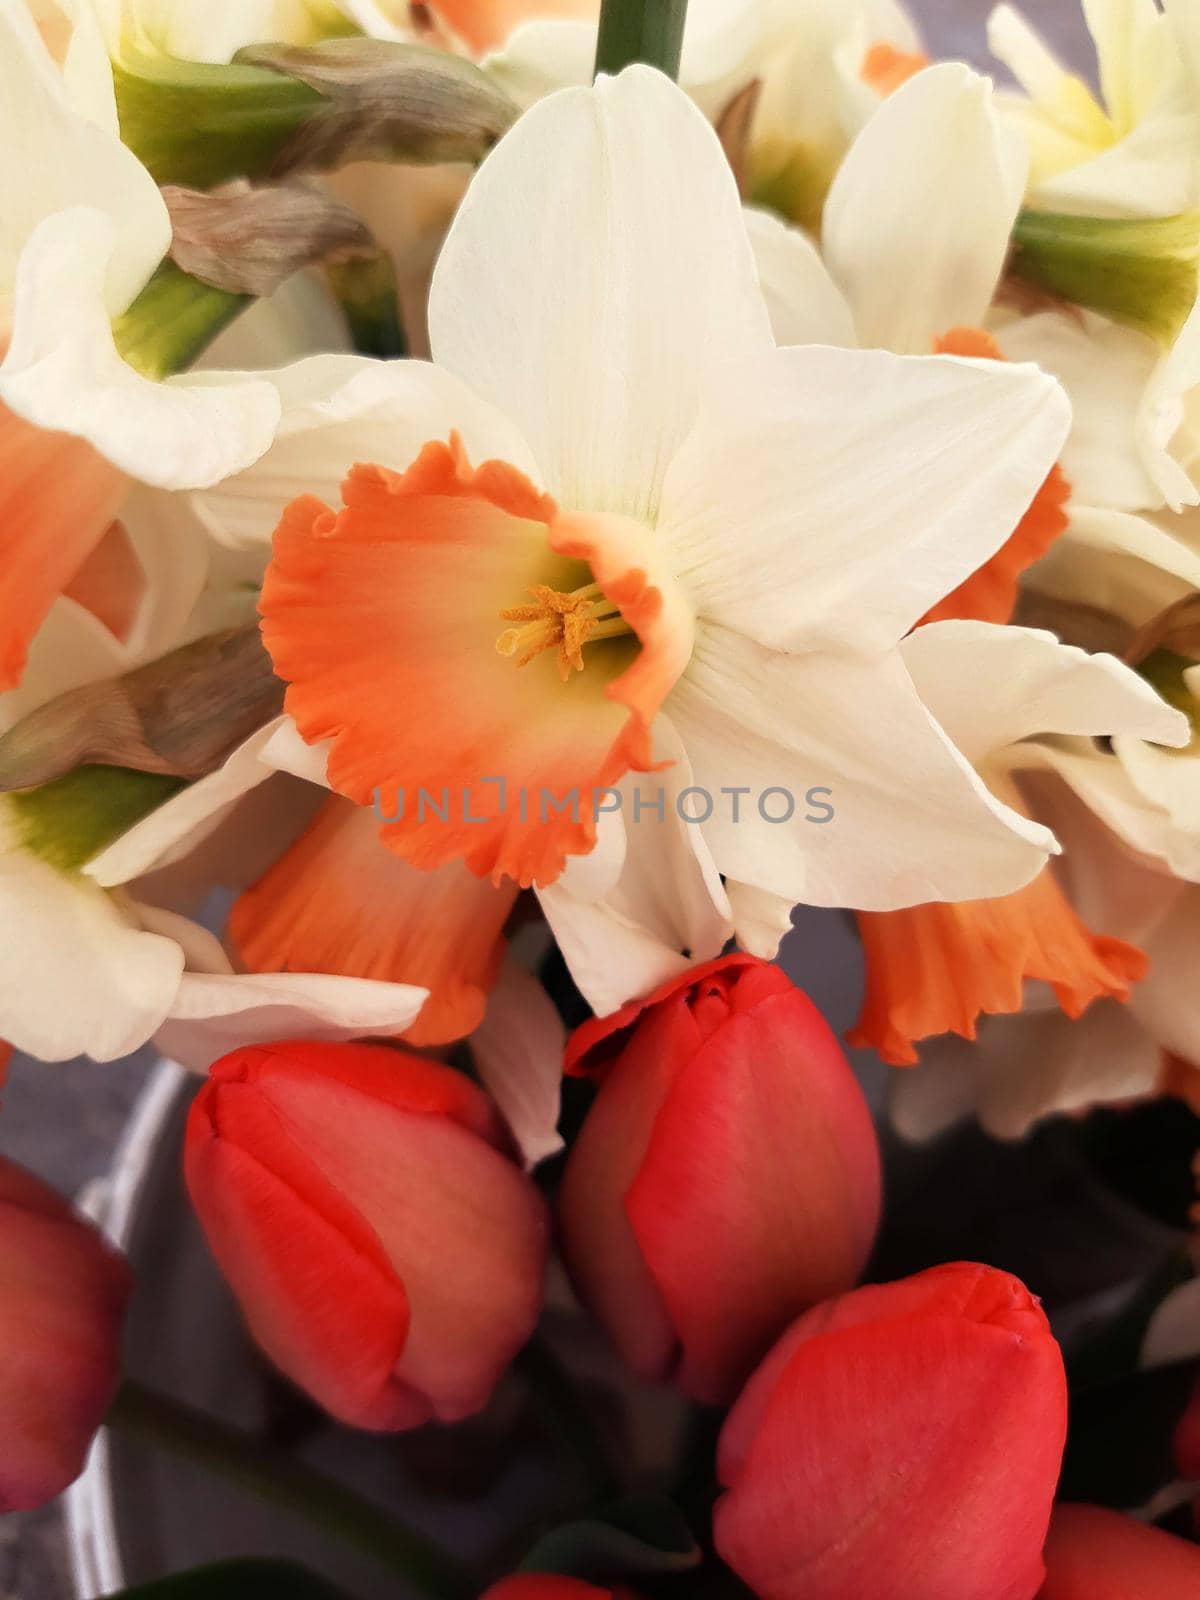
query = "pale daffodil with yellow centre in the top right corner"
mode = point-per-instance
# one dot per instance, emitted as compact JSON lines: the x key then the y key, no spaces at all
{"x":1135,"y":151}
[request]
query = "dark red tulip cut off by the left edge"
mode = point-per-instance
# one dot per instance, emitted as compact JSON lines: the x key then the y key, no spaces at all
{"x":63,"y":1298}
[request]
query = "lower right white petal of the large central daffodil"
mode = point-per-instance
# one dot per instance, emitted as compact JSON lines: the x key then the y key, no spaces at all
{"x":913,"y":820}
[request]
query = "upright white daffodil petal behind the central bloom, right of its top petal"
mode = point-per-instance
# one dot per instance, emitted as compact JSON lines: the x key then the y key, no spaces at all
{"x":894,"y":223}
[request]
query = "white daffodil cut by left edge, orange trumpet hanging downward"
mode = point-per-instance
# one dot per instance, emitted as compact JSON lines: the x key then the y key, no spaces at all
{"x":82,"y":231}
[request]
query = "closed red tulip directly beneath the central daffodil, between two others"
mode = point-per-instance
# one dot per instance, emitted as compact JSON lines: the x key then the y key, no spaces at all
{"x":727,"y":1177}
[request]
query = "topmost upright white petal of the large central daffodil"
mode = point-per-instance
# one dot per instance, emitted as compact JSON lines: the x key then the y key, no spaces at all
{"x":591,"y":308}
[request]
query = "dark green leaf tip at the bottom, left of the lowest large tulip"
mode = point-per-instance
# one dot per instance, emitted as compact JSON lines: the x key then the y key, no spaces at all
{"x":633,"y":1540}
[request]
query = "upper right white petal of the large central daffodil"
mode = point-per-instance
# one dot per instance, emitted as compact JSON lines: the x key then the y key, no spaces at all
{"x":833,"y":497}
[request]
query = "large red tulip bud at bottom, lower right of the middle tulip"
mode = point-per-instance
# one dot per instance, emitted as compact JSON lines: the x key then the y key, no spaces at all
{"x":900,"y":1444}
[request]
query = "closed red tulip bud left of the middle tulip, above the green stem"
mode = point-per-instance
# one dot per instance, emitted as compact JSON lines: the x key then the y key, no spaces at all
{"x":386,"y":1252}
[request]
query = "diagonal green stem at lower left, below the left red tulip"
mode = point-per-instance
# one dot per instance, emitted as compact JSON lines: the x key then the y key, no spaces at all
{"x":169,"y":1425}
